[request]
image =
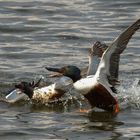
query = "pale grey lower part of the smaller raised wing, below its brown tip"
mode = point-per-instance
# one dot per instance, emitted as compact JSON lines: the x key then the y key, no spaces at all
{"x":93,"y":64}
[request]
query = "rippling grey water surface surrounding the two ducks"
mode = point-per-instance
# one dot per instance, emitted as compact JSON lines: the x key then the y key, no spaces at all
{"x":37,"y":33}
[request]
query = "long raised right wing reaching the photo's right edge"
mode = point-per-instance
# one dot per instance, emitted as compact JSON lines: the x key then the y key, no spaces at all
{"x":109,"y":65}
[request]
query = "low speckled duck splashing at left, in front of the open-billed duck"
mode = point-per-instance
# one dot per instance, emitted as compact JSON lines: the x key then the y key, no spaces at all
{"x":27,"y":90}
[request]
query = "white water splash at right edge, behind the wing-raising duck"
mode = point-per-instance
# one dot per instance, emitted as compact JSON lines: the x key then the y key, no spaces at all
{"x":129,"y":96}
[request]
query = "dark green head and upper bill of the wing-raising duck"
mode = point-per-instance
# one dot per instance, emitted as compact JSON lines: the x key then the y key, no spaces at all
{"x":70,"y":71}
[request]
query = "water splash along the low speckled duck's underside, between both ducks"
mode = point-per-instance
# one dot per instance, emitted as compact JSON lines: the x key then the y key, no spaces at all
{"x":69,"y":100}
